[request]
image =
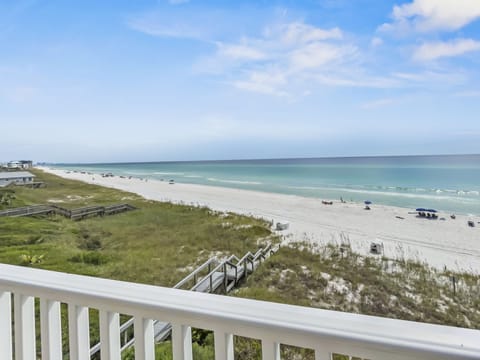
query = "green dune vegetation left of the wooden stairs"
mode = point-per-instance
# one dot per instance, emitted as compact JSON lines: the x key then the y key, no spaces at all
{"x":156,"y":244}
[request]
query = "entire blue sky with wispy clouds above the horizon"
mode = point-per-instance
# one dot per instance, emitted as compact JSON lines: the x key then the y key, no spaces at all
{"x":160,"y":80}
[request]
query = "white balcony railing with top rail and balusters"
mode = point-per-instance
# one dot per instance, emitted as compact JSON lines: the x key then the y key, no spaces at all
{"x":326,"y":332}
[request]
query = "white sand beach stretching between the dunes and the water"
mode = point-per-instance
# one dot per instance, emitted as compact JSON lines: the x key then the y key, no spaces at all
{"x":448,"y":242}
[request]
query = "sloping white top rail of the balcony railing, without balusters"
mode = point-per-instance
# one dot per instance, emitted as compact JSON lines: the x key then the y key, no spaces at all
{"x":243,"y":316}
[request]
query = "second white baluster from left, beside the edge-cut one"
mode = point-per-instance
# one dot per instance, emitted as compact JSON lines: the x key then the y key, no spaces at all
{"x":24,"y":312}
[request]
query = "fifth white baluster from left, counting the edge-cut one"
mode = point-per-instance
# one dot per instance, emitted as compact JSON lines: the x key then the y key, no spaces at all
{"x":109,"y":335}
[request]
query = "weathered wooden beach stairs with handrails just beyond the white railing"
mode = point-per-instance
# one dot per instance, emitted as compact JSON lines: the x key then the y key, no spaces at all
{"x":213,"y":276}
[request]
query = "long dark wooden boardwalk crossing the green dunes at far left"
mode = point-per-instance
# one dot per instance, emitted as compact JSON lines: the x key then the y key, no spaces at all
{"x":73,"y":214}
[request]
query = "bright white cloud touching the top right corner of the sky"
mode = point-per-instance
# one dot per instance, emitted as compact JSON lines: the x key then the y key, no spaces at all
{"x":433,"y":15}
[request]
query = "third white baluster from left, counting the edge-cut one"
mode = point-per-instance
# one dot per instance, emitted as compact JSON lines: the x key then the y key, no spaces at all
{"x":51,"y":329}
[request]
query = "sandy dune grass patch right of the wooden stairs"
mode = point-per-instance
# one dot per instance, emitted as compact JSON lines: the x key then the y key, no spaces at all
{"x":328,"y":278}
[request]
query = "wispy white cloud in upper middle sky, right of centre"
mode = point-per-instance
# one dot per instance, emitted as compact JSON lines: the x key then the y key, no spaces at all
{"x":283,"y":54}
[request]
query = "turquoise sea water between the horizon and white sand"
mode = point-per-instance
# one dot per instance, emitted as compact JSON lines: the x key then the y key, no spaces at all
{"x":447,"y":183}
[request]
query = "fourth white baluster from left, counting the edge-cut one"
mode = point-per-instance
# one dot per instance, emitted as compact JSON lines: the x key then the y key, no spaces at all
{"x":79,"y":334}
